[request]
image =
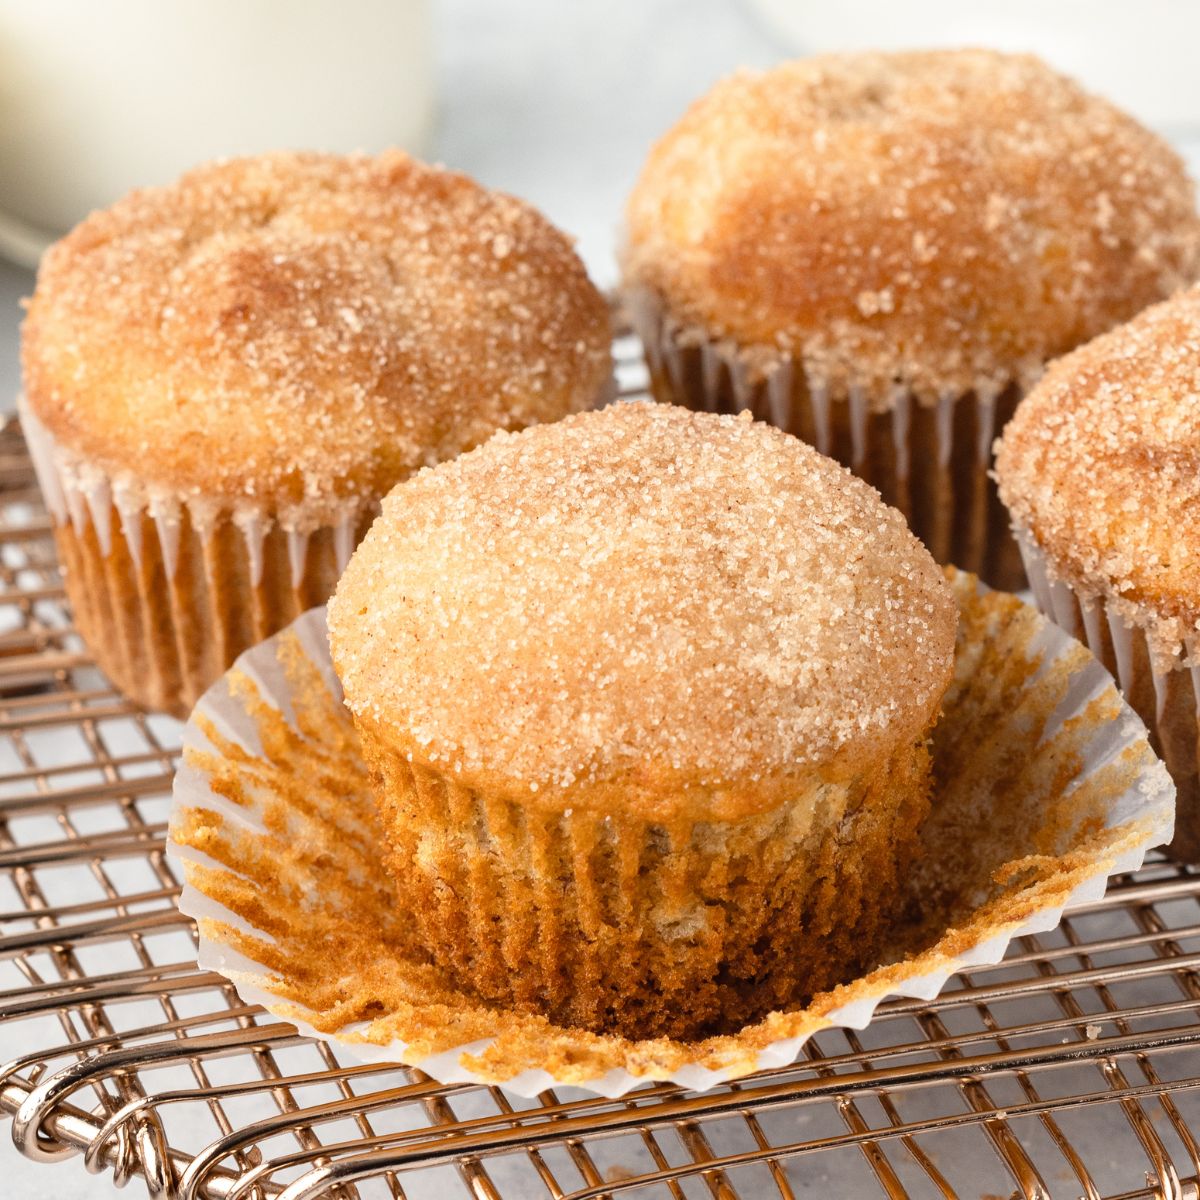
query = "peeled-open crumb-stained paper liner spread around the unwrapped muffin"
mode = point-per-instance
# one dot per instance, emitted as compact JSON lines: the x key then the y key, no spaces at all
{"x":1046,"y":785}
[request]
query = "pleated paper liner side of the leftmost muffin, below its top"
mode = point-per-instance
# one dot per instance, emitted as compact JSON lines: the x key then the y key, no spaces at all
{"x":169,"y":591}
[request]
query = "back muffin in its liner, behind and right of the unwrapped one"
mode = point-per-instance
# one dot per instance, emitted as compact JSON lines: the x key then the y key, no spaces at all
{"x":880,"y":254}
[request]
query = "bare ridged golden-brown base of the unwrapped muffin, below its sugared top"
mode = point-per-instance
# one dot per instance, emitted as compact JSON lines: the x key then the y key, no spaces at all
{"x":619,"y":927}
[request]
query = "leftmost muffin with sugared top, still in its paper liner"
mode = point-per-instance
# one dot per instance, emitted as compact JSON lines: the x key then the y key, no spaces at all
{"x":225,"y":376}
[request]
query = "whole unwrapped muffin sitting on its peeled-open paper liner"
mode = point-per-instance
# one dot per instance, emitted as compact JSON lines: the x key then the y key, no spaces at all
{"x":646,"y":699}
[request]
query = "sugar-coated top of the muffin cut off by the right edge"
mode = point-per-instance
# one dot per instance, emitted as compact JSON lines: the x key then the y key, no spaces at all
{"x":1102,"y":466}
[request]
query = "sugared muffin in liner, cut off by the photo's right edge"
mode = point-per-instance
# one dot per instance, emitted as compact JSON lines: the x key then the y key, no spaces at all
{"x":1101,"y":471}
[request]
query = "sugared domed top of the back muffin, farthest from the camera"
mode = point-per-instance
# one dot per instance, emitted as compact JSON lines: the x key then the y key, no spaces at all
{"x":946,"y":221}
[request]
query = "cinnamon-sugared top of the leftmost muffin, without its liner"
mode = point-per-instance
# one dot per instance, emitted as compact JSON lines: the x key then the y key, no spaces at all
{"x":303,"y":329}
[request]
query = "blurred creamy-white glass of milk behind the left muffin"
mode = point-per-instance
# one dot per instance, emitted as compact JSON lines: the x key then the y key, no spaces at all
{"x":100,"y":98}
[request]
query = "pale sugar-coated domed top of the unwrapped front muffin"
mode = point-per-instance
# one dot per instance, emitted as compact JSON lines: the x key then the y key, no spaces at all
{"x":639,"y":603}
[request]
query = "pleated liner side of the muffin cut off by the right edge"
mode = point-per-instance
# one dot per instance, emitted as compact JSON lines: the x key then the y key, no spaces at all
{"x":1167,"y":701}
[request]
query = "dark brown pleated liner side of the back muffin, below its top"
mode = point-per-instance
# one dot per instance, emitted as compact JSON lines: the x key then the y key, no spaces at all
{"x":931,"y":461}
